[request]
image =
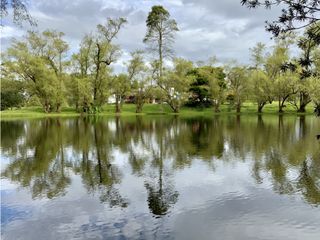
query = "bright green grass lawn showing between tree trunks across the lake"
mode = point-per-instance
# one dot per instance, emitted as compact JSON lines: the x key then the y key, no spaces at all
{"x":129,"y":109}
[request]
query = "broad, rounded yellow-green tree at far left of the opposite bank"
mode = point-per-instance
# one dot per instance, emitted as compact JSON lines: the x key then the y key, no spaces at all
{"x":38,"y":61}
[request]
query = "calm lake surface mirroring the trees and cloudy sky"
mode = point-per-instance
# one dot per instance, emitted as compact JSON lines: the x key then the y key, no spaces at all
{"x":159,"y":177}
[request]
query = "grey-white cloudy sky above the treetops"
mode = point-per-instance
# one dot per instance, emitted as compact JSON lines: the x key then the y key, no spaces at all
{"x":222,"y":28}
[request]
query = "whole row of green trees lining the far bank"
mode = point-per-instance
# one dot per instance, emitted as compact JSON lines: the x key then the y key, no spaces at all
{"x":38,"y":71}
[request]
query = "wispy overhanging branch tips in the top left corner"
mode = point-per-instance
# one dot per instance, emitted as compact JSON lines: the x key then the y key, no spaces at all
{"x":19,"y":9}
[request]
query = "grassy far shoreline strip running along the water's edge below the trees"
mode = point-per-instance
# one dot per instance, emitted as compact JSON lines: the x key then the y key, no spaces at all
{"x":153,"y":110}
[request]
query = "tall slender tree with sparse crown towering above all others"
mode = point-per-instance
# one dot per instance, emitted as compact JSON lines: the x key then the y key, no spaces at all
{"x":160,"y":34}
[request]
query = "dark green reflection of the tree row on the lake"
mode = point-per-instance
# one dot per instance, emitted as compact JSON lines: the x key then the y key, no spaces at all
{"x":43,"y":153}
